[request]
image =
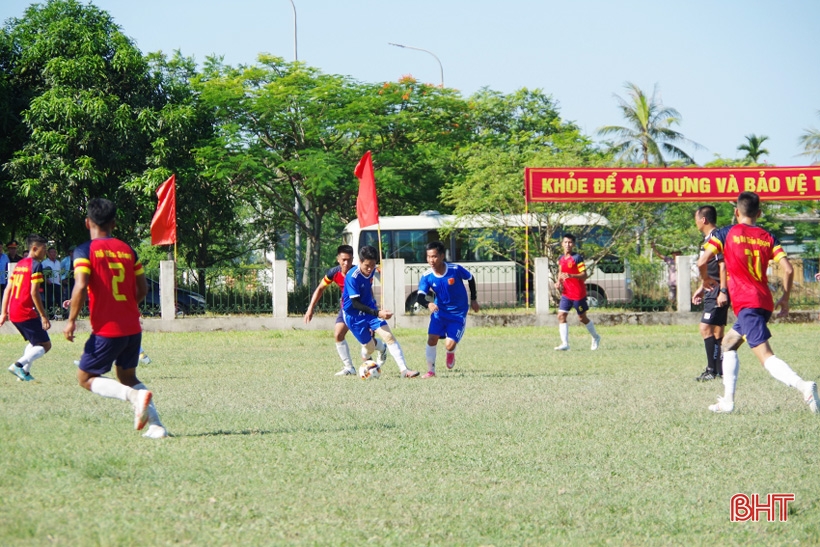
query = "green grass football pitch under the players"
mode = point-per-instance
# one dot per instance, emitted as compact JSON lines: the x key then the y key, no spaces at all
{"x":519,"y":445}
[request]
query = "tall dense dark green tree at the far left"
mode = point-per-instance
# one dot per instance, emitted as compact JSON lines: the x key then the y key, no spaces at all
{"x":85,"y":88}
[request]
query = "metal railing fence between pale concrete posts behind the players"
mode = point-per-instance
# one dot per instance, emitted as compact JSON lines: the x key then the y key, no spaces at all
{"x":503,"y":288}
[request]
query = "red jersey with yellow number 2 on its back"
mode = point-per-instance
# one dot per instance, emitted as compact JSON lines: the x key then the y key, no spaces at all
{"x":112,"y":266}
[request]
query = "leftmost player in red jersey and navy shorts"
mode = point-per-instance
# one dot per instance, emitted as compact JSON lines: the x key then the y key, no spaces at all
{"x":24,"y":306}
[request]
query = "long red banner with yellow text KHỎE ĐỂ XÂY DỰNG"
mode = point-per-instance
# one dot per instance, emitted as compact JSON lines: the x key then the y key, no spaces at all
{"x":670,"y":184}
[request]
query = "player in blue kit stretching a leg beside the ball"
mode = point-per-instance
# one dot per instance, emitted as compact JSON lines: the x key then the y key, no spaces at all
{"x":363,"y":317}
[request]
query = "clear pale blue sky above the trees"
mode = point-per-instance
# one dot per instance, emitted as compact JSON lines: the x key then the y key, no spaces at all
{"x":730,"y":67}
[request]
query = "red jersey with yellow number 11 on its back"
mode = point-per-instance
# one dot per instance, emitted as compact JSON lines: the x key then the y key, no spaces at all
{"x":747,"y":251}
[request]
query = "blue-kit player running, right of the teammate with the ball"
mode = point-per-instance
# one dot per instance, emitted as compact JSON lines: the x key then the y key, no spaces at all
{"x":450,"y":306}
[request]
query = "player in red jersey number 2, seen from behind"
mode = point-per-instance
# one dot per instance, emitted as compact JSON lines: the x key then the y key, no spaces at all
{"x":108,"y":272}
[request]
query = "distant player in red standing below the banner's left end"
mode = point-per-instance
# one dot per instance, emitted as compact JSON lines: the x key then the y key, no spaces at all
{"x":572,"y":275}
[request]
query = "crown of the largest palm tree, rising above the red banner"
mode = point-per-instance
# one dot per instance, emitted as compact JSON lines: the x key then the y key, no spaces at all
{"x":649,"y":135}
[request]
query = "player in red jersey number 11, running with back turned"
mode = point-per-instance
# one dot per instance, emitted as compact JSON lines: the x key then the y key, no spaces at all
{"x":747,"y":250}
